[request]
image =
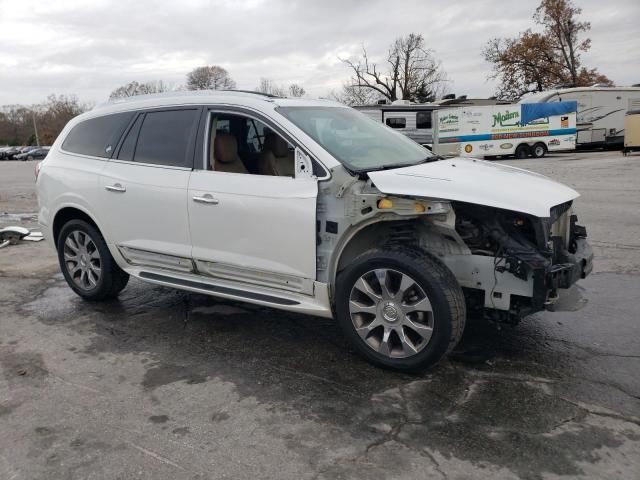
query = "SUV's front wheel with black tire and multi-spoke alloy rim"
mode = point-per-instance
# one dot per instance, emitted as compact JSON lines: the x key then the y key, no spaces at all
{"x":420,"y":333}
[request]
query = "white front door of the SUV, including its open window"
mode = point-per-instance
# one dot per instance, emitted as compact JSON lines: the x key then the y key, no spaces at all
{"x":251,"y":220}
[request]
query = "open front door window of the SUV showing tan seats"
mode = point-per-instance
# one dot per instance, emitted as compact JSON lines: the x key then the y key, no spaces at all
{"x":241,"y":144}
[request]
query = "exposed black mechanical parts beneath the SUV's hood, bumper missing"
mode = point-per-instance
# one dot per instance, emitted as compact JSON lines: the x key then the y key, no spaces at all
{"x":541,"y":254}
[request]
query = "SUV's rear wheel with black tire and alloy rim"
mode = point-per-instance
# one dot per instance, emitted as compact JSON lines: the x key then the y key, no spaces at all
{"x":87,"y":264}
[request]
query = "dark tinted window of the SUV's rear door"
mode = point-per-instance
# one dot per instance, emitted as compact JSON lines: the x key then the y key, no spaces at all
{"x":165,"y":137}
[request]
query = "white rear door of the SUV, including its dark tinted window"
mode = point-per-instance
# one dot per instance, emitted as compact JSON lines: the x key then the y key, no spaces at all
{"x":144,"y":189}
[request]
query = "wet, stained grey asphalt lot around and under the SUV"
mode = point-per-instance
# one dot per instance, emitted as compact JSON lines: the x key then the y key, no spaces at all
{"x":169,"y":385}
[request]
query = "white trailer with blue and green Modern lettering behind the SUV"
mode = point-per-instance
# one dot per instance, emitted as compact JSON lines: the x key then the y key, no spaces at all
{"x":521,"y":130}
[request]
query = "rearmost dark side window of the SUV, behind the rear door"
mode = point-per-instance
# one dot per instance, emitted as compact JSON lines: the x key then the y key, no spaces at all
{"x":97,"y":136}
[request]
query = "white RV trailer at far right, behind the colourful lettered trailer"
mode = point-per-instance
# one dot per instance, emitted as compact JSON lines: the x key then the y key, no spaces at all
{"x":601,"y":111}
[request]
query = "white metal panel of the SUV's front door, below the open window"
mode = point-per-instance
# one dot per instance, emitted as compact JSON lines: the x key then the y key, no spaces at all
{"x":260,"y":222}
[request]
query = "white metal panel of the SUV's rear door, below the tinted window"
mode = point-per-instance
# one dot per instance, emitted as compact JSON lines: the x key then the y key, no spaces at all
{"x":152,"y":213}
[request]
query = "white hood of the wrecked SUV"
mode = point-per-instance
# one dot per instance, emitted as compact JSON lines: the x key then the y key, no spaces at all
{"x":476,"y":181}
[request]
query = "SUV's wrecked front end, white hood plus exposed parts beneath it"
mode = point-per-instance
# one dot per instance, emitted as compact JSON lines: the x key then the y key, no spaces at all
{"x":509,"y":236}
